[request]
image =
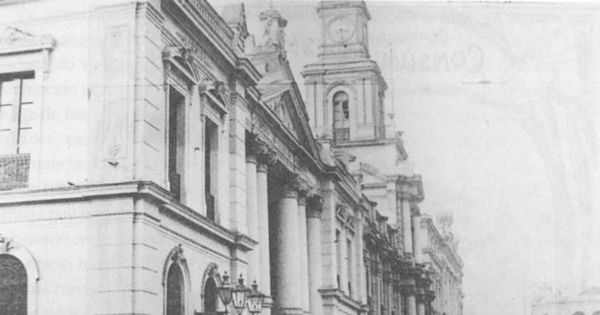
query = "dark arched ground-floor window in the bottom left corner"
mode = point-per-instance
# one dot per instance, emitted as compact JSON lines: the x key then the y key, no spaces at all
{"x":13,"y":286}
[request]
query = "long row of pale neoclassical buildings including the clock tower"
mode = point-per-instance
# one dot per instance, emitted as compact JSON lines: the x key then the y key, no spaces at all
{"x":149,"y":147}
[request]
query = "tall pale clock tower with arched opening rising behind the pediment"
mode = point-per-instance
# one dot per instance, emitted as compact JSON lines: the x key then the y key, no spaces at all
{"x":345,"y":89}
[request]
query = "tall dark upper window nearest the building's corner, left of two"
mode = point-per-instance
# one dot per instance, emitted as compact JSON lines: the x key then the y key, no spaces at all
{"x":176,"y":141}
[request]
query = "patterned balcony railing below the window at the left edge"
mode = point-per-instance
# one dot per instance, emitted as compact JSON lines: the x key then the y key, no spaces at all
{"x":14,"y":171}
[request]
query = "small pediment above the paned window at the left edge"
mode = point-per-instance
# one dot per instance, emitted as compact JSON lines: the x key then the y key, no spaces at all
{"x":14,"y":40}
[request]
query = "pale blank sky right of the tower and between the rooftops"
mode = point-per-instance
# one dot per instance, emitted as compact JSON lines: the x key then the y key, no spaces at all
{"x":498,"y":104}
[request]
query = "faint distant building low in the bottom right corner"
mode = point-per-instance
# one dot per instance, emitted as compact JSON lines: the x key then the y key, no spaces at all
{"x":551,"y":303}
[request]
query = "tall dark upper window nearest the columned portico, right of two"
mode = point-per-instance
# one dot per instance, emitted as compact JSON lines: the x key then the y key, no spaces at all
{"x":211,"y":167}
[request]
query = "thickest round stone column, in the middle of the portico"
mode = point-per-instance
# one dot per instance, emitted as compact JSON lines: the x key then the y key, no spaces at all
{"x":287,"y":279}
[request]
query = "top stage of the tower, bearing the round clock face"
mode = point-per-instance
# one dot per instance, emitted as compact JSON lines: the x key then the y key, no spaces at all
{"x":344,"y":32}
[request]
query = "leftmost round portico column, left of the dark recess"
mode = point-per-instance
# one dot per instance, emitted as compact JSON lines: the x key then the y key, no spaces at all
{"x":264,"y":158}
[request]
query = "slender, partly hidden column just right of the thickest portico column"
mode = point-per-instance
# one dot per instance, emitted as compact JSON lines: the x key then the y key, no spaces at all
{"x":303,"y":251}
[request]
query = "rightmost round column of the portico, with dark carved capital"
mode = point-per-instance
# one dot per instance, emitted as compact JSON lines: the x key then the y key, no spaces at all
{"x":315,"y":276}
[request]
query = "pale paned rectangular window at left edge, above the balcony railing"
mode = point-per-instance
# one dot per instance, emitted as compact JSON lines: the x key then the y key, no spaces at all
{"x":16,"y":112}
